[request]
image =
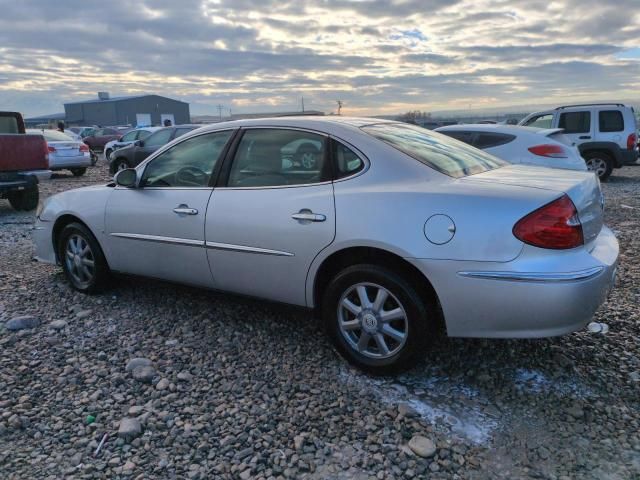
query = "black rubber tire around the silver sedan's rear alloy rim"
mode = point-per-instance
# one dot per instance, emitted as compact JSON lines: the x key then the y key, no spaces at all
{"x":420,"y":325}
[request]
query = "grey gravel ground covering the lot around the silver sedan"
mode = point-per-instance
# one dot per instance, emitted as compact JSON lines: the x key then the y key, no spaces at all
{"x":232,"y":388}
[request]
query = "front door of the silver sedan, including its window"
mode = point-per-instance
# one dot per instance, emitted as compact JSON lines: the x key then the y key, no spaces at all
{"x":157,"y":229}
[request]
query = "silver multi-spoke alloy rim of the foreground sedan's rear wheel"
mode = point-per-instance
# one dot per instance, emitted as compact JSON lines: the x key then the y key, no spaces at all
{"x":372,"y":321}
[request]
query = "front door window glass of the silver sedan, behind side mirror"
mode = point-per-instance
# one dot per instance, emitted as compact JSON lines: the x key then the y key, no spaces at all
{"x":188,"y":164}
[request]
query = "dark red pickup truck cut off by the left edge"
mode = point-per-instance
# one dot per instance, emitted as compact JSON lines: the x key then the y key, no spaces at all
{"x":24,"y":160}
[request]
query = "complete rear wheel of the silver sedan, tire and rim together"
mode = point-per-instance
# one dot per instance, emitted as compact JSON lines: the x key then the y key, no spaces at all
{"x":376,"y":318}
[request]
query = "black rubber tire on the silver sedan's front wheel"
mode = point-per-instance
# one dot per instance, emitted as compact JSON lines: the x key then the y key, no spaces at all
{"x":100,"y":274}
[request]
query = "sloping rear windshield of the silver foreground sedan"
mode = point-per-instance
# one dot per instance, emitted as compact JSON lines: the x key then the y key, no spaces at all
{"x":435,"y":150}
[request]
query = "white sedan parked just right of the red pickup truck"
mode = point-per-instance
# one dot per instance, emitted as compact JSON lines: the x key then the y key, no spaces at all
{"x":65,"y":153}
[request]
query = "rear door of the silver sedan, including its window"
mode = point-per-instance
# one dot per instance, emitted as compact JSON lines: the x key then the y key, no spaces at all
{"x":272,"y":215}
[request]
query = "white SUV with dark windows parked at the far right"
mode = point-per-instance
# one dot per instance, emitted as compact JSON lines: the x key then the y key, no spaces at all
{"x":604,"y":133}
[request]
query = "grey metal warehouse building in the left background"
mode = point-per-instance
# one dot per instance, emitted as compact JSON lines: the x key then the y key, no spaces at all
{"x":137,"y":110}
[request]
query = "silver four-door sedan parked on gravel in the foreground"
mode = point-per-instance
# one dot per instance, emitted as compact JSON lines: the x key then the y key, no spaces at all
{"x":397,"y":232}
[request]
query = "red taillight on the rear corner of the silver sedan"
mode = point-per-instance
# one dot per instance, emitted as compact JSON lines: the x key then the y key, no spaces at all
{"x":555,"y":225}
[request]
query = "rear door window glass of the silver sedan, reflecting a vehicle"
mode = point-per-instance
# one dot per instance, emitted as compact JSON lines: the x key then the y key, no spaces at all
{"x":279,"y":157}
